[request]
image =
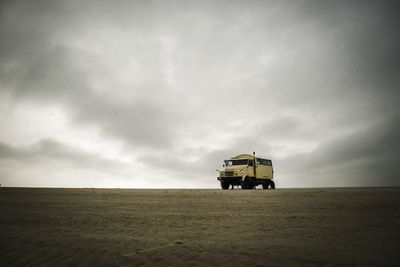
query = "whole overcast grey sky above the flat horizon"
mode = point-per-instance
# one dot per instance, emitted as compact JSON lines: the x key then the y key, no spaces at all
{"x":159,"y":93}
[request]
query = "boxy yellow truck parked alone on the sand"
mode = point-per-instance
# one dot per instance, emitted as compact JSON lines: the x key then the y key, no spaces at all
{"x":248,"y":171}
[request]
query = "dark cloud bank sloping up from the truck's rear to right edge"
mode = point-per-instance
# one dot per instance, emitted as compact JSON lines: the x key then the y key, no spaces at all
{"x":363,"y":158}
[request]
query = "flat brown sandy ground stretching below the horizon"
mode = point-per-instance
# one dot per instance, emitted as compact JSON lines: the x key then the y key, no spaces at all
{"x":283,"y":227}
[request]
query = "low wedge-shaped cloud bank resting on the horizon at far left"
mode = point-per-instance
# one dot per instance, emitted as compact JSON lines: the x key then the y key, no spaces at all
{"x":51,"y":163}
